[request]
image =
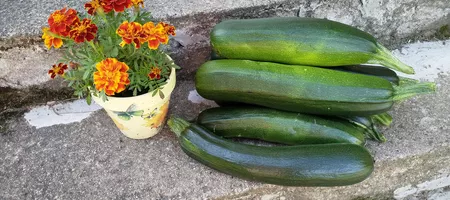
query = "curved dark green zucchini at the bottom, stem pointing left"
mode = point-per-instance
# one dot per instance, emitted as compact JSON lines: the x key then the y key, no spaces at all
{"x":302,"y":165}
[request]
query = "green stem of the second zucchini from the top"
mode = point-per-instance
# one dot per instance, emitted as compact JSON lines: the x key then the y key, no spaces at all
{"x":406,"y":91}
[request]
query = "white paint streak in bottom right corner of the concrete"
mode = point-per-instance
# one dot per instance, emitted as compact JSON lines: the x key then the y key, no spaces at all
{"x":409,"y":190}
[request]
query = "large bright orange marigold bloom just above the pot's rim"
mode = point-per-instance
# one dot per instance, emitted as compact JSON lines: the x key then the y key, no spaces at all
{"x":111,"y":76}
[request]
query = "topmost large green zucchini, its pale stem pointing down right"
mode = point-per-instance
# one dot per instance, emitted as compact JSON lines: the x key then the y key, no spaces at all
{"x":300,"y":41}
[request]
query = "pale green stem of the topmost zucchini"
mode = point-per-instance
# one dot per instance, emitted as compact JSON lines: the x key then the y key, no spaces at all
{"x":384,"y":57}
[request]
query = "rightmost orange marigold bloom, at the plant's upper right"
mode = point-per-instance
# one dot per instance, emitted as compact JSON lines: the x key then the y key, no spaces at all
{"x":155,"y":34}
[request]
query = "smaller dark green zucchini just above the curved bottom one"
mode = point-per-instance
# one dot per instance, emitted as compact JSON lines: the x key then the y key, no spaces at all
{"x":279,"y":126}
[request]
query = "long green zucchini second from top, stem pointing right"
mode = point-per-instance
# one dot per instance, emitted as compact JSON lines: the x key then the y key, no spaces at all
{"x":301,"y":89}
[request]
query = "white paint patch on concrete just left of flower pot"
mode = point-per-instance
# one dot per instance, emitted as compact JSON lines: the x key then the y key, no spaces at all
{"x":66,"y":113}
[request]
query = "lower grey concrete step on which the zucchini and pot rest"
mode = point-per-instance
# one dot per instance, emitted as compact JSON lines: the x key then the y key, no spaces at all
{"x":78,"y":152}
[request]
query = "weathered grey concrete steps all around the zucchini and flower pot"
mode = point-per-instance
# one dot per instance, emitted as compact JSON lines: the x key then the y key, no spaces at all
{"x":79,"y":153}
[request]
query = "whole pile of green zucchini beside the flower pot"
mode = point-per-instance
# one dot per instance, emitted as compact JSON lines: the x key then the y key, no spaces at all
{"x":303,"y":84}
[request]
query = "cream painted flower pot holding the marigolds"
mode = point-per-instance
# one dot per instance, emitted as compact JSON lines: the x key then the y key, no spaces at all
{"x":142,"y":116}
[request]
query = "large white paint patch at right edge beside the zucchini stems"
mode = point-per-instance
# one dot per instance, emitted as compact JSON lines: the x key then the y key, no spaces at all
{"x":429,"y":59}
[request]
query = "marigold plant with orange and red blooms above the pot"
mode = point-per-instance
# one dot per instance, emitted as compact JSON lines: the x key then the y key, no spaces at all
{"x":112,"y":50}
